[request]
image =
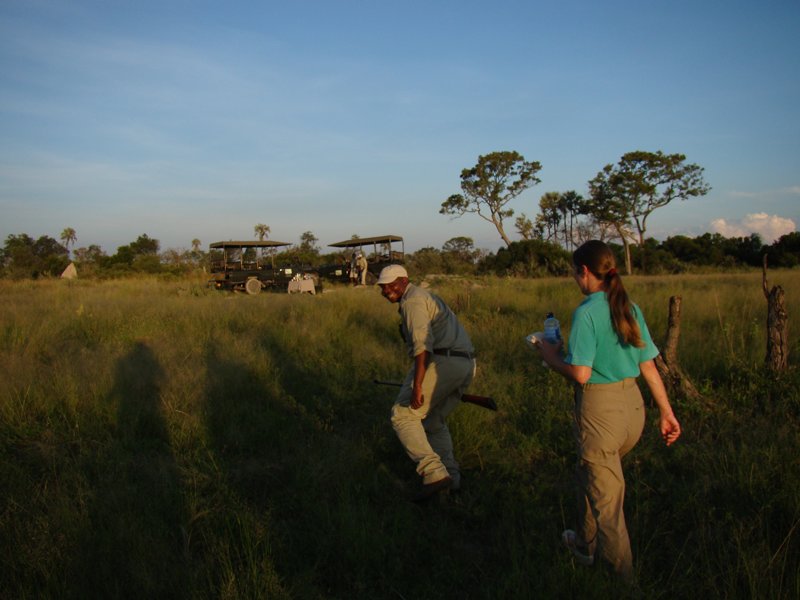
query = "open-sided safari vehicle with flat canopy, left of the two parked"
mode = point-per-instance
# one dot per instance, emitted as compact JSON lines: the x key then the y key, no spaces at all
{"x":244,"y":267}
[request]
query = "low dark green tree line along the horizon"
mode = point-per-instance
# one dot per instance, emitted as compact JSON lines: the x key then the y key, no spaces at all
{"x":24,"y":257}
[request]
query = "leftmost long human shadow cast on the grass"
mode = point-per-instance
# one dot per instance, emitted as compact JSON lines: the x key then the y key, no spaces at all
{"x":134,"y":546}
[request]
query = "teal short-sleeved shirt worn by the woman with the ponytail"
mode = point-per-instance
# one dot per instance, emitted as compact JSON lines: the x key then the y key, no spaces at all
{"x":594,"y":343}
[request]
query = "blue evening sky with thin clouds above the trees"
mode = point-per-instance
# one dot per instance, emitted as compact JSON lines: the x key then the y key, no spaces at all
{"x":196,"y":119}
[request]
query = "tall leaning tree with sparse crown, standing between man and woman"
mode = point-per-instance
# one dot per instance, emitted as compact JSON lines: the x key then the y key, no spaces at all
{"x":494,"y":181}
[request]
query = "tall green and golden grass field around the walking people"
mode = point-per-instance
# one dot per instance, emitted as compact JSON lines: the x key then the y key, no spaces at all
{"x":160,"y":440}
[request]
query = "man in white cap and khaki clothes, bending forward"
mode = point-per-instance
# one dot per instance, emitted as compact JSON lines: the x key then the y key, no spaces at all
{"x":444,"y":365}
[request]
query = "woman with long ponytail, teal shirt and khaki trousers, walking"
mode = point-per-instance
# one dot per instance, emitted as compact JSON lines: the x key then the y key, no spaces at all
{"x":609,"y":346}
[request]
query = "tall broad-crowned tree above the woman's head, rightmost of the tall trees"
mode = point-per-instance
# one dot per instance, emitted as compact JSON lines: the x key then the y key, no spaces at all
{"x":627,"y":193}
